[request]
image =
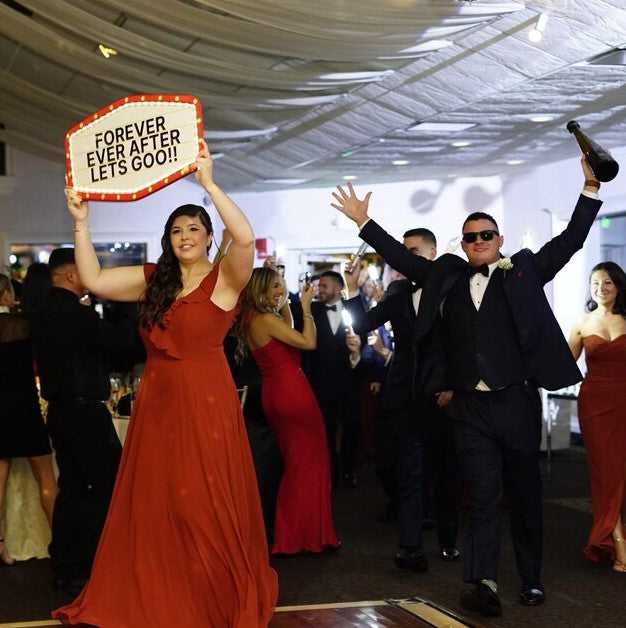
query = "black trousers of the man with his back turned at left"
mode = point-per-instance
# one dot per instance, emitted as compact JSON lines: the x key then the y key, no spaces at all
{"x":88,"y":453}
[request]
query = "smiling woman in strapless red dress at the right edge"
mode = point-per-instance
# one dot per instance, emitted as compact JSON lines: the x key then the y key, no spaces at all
{"x":601,"y":410}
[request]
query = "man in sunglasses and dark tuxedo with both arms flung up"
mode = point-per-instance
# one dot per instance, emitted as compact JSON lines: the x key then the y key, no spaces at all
{"x":502,"y":342}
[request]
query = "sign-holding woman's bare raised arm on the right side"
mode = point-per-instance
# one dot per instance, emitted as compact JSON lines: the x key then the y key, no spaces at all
{"x":236,"y":265}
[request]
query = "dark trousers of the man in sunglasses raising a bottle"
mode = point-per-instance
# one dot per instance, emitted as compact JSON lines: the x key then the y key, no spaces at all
{"x":498,"y":435}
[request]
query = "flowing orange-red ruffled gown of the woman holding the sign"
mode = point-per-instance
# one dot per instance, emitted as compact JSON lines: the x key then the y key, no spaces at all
{"x":184,"y":542}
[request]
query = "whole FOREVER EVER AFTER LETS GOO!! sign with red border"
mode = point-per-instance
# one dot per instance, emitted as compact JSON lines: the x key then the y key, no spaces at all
{"x":134,"y":146}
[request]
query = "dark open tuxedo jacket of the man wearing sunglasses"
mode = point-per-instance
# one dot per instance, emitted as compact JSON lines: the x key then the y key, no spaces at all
{"x":547,"y":357}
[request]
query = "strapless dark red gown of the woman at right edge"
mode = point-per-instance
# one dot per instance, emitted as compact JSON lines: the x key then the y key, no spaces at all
{"x":602,"y":417}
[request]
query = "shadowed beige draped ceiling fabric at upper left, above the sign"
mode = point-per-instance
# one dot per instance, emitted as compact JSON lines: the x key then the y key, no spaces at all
{"x":237,"y":56}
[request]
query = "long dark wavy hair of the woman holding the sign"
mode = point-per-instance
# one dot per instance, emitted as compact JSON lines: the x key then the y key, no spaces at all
{"x":166,"y":282}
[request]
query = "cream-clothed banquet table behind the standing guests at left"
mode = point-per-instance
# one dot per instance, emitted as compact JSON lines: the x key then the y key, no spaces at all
{"x":26,"y":529}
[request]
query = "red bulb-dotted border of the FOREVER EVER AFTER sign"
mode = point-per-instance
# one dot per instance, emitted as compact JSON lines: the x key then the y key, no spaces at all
{"x":114,"y":196}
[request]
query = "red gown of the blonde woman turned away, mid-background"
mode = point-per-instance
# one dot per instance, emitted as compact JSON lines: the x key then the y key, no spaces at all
{"x":303,"y":511}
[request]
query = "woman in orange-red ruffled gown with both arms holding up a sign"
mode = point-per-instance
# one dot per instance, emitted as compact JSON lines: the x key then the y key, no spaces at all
{"x":184,"y":543}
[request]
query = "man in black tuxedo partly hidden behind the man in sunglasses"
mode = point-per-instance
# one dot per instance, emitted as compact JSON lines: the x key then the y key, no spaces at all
{"x":412,"y":417}
